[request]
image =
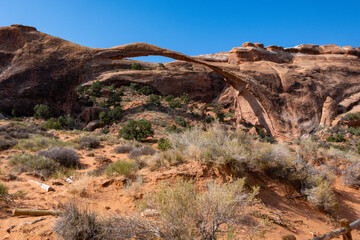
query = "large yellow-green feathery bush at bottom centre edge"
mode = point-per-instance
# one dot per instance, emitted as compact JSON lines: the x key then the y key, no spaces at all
{"x":188,"y":214}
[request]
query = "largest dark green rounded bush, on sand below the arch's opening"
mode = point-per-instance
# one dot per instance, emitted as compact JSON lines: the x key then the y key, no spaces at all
{"x":138,"y":130}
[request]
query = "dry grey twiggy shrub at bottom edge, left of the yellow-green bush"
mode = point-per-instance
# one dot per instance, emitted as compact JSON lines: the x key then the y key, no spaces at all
{"x":77,"y":223}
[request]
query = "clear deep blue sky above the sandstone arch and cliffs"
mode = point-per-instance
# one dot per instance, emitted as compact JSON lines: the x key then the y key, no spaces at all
{"x":191,"y":27}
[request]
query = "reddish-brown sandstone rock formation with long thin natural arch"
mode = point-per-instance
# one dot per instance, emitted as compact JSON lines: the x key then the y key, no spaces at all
{"x":284,"y":90}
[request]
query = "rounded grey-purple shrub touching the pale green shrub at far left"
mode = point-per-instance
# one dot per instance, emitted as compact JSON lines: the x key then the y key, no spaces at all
{"x":66,"y":157}
